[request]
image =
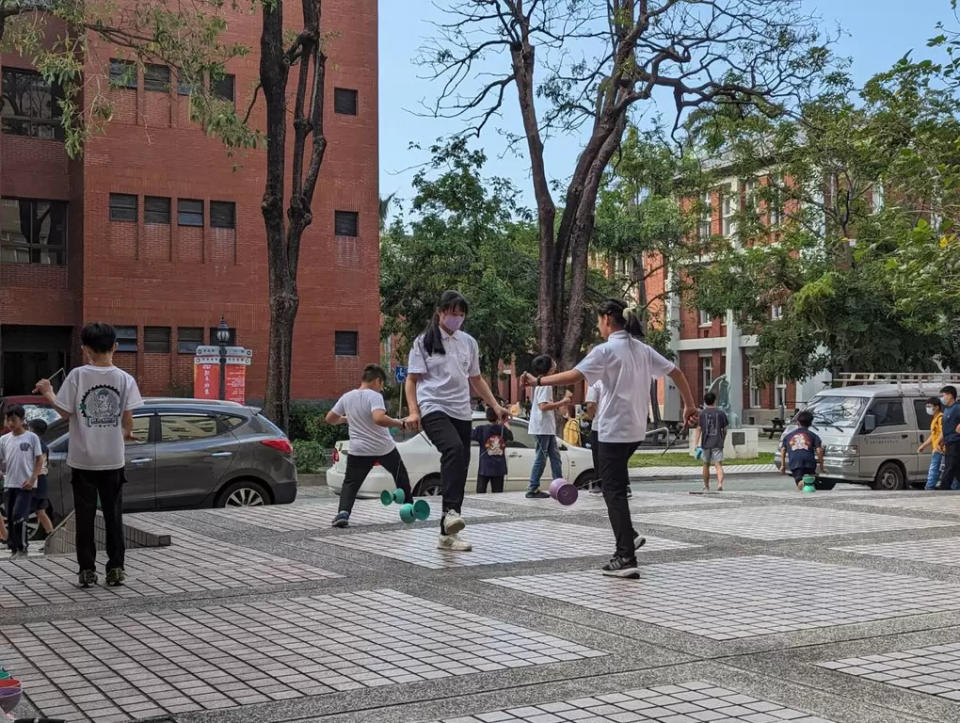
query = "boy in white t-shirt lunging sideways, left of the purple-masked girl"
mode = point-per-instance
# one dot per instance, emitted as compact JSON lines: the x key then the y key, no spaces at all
{"x":364,"y":411}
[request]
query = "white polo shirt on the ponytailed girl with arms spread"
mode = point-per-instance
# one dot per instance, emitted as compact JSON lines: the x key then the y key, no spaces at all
{"x":625,"y":367}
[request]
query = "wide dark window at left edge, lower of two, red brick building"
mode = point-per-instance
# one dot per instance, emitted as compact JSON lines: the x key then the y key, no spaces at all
{"x":33,"y":231}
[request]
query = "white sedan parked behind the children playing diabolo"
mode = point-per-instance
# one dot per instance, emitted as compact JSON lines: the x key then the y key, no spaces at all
{"x":422,"y":461}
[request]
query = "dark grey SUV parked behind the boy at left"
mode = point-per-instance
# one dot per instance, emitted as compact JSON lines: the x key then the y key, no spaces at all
{"x":191,"y":453}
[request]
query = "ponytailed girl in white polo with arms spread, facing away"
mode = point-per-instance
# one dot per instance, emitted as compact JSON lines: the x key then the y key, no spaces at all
{"x":625,"y":367}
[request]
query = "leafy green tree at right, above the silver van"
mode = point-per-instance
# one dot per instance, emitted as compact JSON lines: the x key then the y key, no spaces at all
{"x":866,"y":190}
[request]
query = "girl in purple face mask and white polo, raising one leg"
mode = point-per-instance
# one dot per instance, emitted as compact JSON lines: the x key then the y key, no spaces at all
{"x":443,"y":369}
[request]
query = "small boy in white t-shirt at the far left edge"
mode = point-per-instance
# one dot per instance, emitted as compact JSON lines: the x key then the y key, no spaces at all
{"x":22,"y":460}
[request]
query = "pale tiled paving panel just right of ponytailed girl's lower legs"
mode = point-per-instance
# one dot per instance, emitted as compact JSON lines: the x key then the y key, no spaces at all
{"x":783,"y":522}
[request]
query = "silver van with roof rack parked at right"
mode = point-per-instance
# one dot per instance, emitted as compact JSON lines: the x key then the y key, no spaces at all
{"x":871,"y":433}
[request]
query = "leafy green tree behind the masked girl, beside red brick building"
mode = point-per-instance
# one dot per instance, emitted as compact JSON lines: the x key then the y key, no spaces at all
{"x":469,"y":235}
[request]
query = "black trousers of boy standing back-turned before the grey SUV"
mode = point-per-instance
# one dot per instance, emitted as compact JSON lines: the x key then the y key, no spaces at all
{"x":87,"y":485}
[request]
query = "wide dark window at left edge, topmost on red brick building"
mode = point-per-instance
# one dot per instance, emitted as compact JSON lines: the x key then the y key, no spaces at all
{"x":29,"y":106}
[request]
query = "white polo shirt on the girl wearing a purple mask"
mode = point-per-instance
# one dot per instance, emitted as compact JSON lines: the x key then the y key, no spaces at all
{"x":445,"y":378}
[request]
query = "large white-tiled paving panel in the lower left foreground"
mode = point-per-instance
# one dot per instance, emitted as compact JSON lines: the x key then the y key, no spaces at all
{"x":155,"y":663}
